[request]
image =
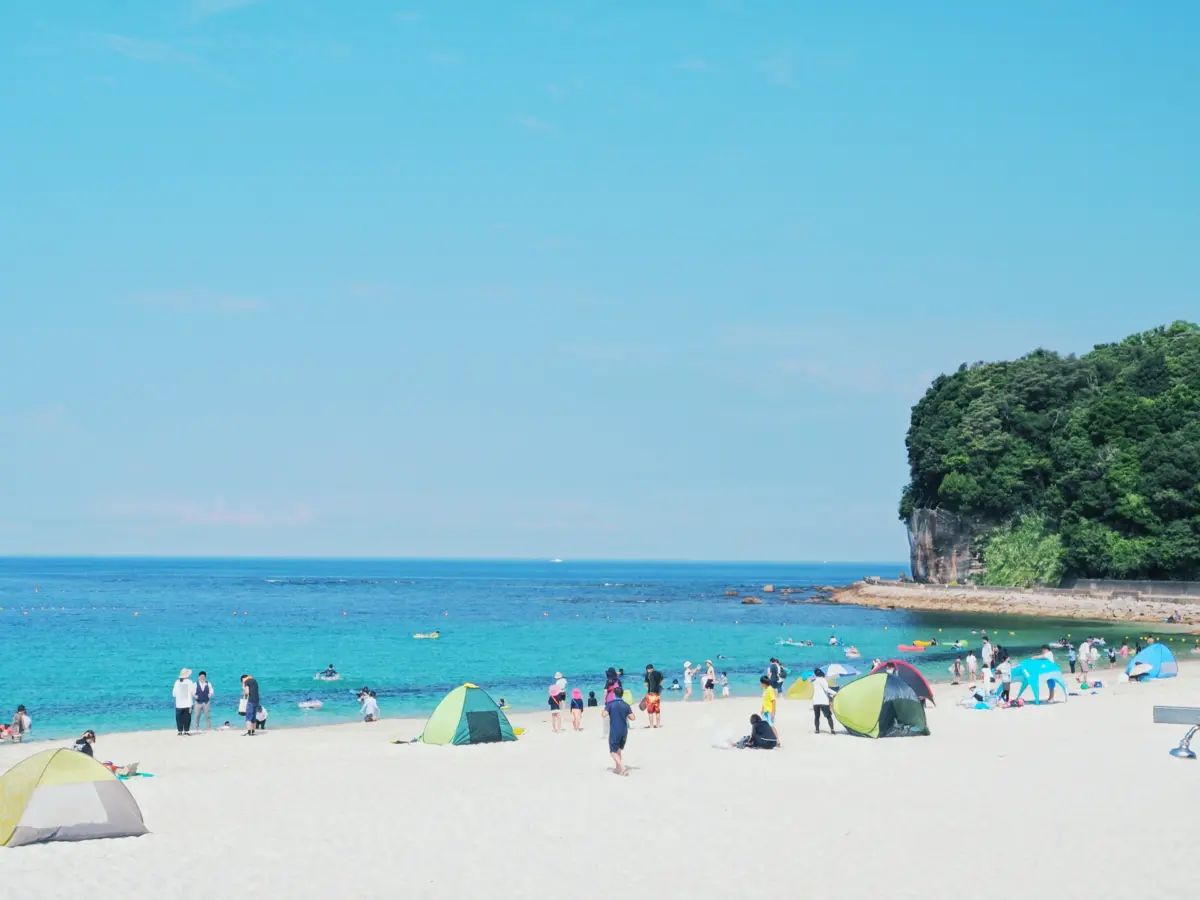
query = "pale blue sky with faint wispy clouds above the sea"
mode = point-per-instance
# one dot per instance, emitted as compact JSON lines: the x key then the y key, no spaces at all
{"x":554,"y":279}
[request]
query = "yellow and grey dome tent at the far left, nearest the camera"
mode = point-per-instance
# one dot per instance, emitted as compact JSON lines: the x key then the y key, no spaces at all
{"x":65,"y":796}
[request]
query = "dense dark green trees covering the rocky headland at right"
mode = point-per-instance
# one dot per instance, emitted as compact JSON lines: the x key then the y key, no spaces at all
{"x":1103,"y":451}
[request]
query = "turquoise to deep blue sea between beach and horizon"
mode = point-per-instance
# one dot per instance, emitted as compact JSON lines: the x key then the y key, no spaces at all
{"x":99,"y":643}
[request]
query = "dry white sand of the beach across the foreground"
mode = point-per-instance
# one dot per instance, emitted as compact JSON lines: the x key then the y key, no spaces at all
{"x":1072,"y":801}
